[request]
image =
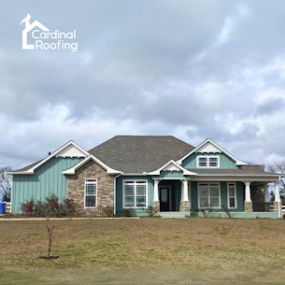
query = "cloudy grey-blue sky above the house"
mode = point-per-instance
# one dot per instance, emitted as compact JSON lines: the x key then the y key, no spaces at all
{"x":192,"y":69}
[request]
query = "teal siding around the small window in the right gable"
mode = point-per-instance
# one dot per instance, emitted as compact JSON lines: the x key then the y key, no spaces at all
{"x":225,"y":161}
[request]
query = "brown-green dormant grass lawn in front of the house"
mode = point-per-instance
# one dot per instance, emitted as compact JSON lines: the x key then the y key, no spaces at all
{"x":145,"y":251}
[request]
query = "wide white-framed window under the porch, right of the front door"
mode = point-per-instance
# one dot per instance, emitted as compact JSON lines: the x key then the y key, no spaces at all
{"x":209,"y":195}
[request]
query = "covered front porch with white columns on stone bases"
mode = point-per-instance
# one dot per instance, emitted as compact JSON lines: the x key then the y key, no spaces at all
{"x":223,"y":198}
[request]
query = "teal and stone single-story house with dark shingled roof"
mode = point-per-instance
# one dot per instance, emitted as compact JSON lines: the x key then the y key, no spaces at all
{"x":136,"y":173}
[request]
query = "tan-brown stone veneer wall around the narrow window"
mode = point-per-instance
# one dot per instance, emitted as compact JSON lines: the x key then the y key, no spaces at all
{"x":105,"y":189}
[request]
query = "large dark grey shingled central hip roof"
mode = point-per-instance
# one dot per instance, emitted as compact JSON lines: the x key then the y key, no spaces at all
{"x":139,"y":154}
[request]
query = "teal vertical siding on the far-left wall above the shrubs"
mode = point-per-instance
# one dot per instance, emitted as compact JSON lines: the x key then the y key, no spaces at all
{"x":47,"y":180}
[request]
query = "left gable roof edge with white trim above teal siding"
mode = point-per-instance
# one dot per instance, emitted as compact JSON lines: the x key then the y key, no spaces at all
{"x":32,"y":167}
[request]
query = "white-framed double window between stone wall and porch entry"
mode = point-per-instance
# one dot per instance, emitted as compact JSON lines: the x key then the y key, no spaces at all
{"x":134,"y":194}
